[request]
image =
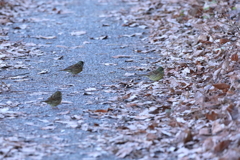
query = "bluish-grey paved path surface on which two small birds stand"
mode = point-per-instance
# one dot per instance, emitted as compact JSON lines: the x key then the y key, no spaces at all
{"x":97,"y":54}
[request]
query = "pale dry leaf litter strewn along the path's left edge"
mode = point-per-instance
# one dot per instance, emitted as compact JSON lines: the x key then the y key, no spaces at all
{"x":13,"y":56}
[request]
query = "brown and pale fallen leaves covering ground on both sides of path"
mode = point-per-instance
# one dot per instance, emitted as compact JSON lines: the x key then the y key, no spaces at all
{"x":193,"y":112}
